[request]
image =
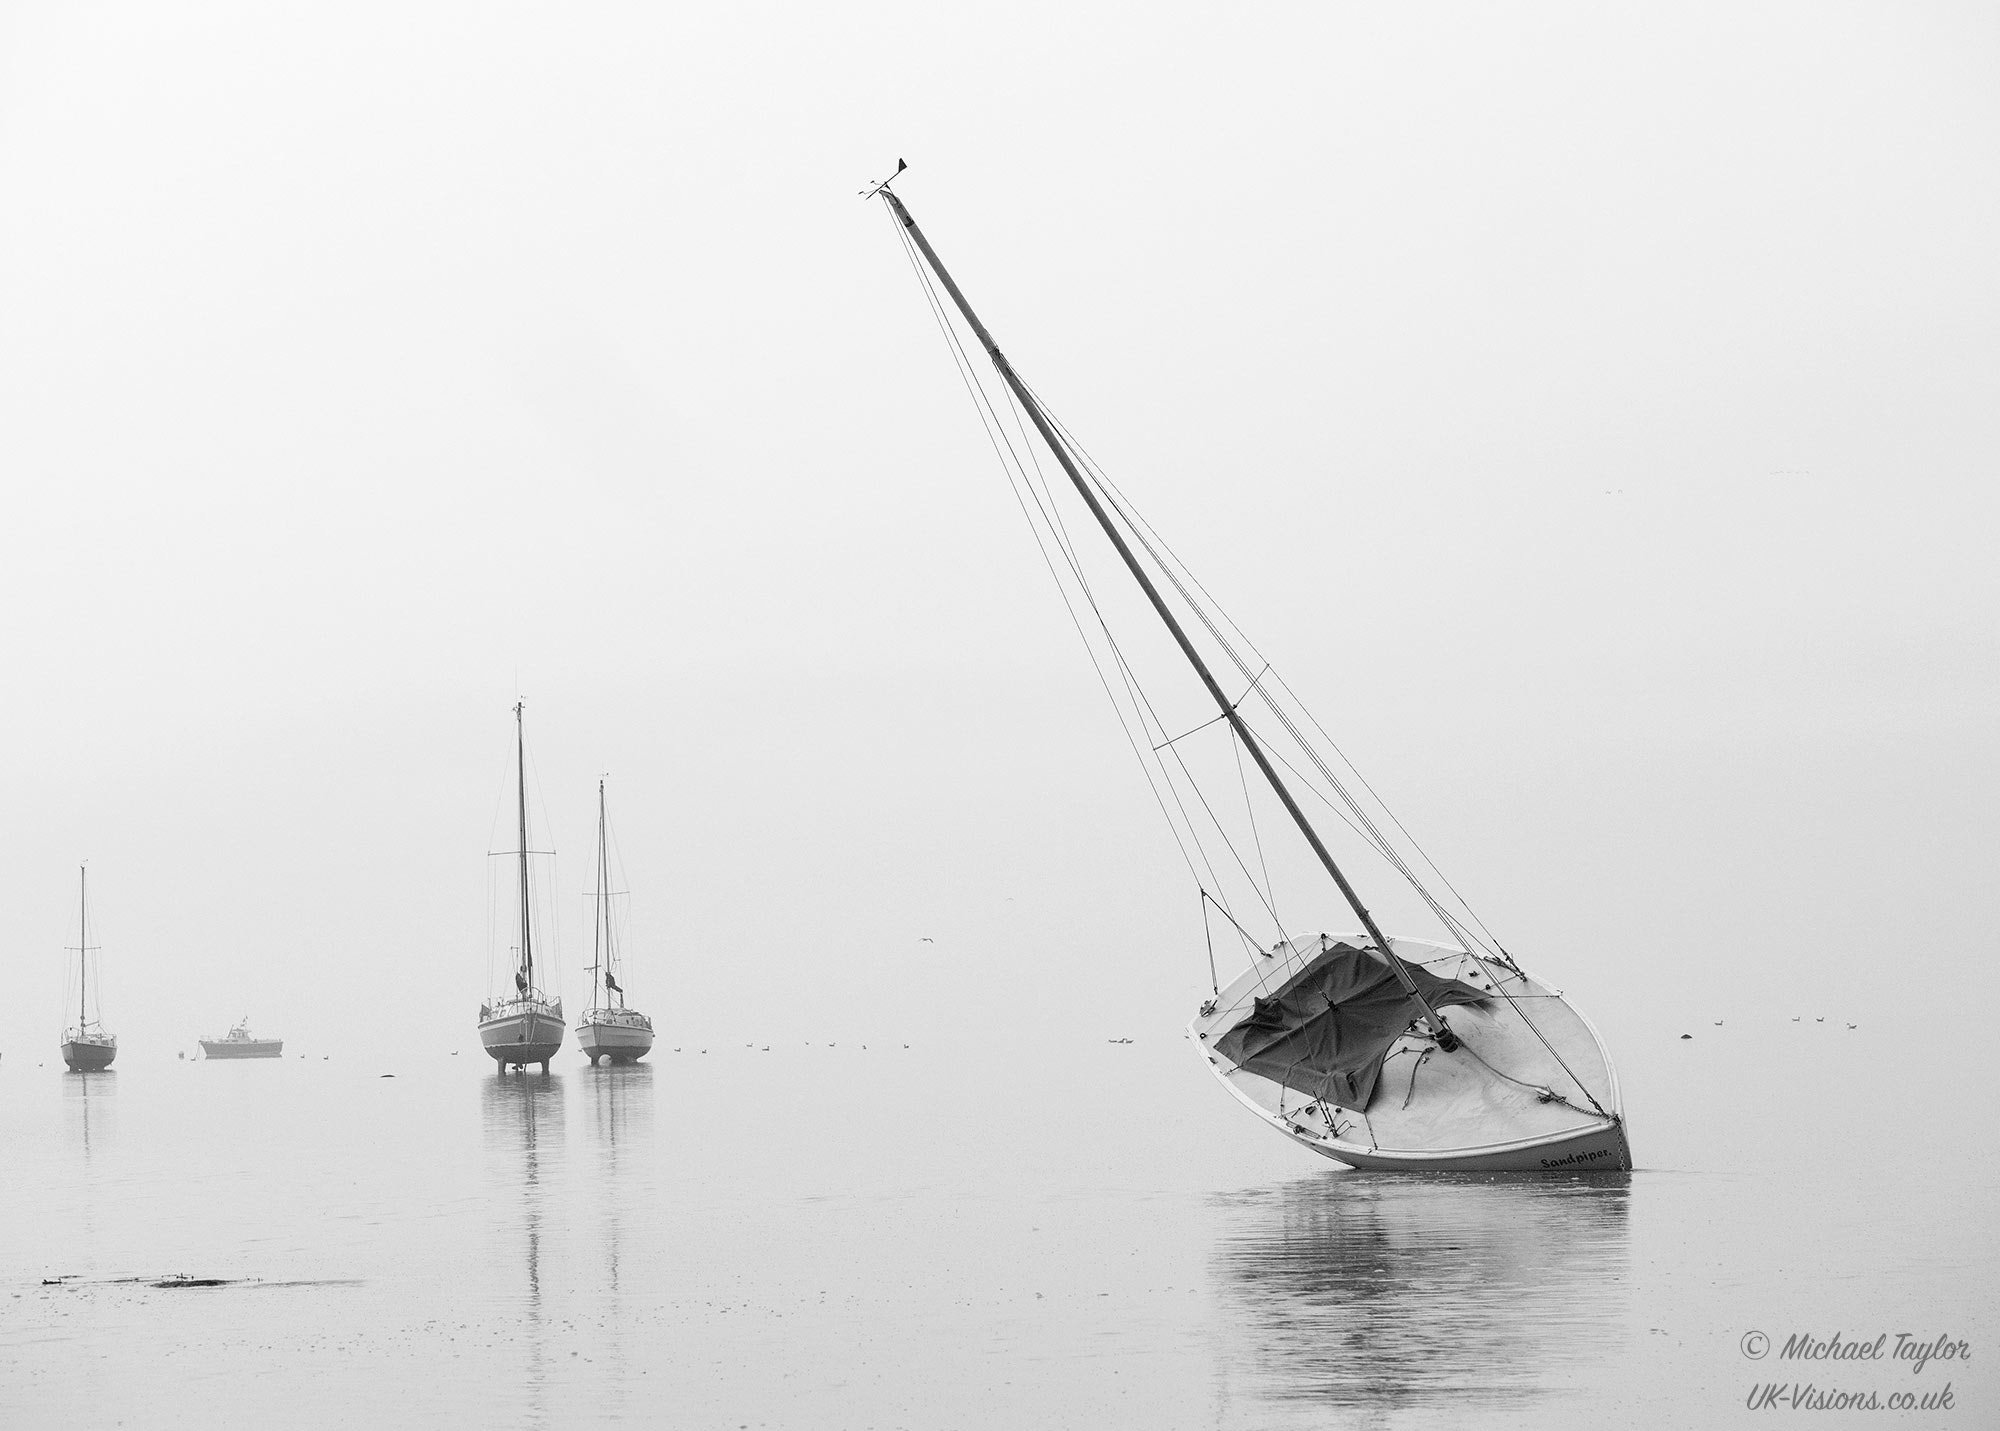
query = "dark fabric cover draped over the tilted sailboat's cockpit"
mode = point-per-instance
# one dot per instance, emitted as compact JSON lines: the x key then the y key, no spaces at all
{"x":1333,"y":1024}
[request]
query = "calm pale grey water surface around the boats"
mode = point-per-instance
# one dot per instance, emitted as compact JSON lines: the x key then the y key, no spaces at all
{"x":1079,"y":1236}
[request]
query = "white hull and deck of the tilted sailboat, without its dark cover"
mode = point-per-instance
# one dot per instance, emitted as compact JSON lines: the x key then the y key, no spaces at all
{"x":1507,"y":1102}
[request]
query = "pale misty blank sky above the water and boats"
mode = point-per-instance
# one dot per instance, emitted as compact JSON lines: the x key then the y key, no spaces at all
{"x":1591,"y":409}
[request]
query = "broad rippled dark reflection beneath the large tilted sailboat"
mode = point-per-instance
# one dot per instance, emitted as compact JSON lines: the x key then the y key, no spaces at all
{"x":1421,"y":1292}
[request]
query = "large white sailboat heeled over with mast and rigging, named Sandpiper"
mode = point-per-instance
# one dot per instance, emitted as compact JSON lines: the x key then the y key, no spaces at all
{"x":1339,"y":1042}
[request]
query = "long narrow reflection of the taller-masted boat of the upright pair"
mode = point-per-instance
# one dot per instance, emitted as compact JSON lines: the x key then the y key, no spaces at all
{"x":523,"y":1126}
